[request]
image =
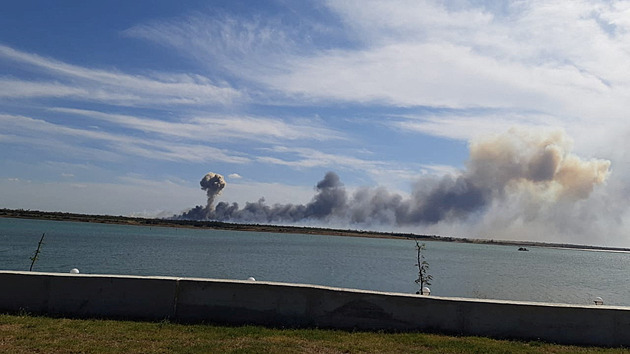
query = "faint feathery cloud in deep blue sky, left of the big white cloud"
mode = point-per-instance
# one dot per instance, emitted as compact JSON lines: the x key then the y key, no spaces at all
{"x":243,"y":45}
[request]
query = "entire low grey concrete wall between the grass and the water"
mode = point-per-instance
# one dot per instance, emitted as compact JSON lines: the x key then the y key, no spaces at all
{"x":293,"y":305}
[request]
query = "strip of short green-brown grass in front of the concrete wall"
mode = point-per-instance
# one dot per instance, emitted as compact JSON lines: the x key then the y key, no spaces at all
{"x":29,"y":334}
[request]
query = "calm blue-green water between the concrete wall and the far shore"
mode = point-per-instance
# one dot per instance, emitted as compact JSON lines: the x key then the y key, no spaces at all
{"x":463,"y":270}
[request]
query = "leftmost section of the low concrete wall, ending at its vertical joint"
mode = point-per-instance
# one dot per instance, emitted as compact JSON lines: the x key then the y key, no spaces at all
{"x":80,"y":295}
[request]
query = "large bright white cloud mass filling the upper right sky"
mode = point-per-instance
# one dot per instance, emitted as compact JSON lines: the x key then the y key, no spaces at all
{"x":532,"y":63}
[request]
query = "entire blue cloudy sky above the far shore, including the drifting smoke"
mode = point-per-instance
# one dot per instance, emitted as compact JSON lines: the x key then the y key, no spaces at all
{"x":480,"y":119}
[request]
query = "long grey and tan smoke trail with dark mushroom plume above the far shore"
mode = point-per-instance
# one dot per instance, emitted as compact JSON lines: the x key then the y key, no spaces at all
{"x":530,"y":171}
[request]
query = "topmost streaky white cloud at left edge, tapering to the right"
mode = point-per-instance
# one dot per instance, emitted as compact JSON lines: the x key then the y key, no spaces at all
{"x":112,"y":87}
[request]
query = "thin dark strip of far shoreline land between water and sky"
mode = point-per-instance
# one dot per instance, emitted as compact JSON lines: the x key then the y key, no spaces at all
{"x":218,"y":225}
